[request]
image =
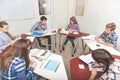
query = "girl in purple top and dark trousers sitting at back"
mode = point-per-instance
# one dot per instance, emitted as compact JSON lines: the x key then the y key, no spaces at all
{"x":72,"y":27}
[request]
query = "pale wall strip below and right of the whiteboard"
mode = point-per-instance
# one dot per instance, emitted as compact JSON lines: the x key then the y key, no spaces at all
{"x":22,"y":26}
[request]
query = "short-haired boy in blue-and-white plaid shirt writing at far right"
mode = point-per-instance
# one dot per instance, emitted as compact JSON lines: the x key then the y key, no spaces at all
{"x":108,"y":37}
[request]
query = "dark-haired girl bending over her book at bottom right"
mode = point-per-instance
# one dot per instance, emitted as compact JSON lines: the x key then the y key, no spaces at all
{"x":111,"y":66}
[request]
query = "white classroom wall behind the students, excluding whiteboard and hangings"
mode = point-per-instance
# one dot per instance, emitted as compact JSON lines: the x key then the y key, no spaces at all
{"x":97,"y":13}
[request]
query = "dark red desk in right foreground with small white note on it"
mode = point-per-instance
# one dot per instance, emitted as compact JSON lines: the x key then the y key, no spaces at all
{"x":82,"y":74}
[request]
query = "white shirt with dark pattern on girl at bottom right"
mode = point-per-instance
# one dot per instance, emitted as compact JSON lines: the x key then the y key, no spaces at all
{"x":113,"y":73}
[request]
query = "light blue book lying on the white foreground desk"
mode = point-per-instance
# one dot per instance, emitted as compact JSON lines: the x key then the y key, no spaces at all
{"x":52,"y":65}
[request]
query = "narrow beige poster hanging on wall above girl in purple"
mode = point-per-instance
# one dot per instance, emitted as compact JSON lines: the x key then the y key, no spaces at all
{"x":80,"y":7}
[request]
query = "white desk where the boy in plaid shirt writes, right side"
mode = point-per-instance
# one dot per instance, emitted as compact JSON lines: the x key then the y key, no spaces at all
{"x":92,"y":44}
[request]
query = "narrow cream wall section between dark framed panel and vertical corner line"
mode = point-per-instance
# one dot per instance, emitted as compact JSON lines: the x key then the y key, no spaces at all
{"x":60,"y":13}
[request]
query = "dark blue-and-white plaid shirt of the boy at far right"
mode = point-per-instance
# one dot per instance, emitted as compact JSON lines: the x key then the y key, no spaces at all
{"x":111,"y":38}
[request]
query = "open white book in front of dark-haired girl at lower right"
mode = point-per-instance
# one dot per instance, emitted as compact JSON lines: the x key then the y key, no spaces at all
{"x":90,"y":61}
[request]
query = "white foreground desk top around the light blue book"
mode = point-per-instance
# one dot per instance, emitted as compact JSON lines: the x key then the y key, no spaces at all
{"x":59,"y":74}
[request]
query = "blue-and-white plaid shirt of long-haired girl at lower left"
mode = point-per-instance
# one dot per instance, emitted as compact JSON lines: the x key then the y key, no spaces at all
{"x":17,"y":70}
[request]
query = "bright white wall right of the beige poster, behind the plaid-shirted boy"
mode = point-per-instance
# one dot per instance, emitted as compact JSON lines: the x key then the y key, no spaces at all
{"x":100,"y":12}
